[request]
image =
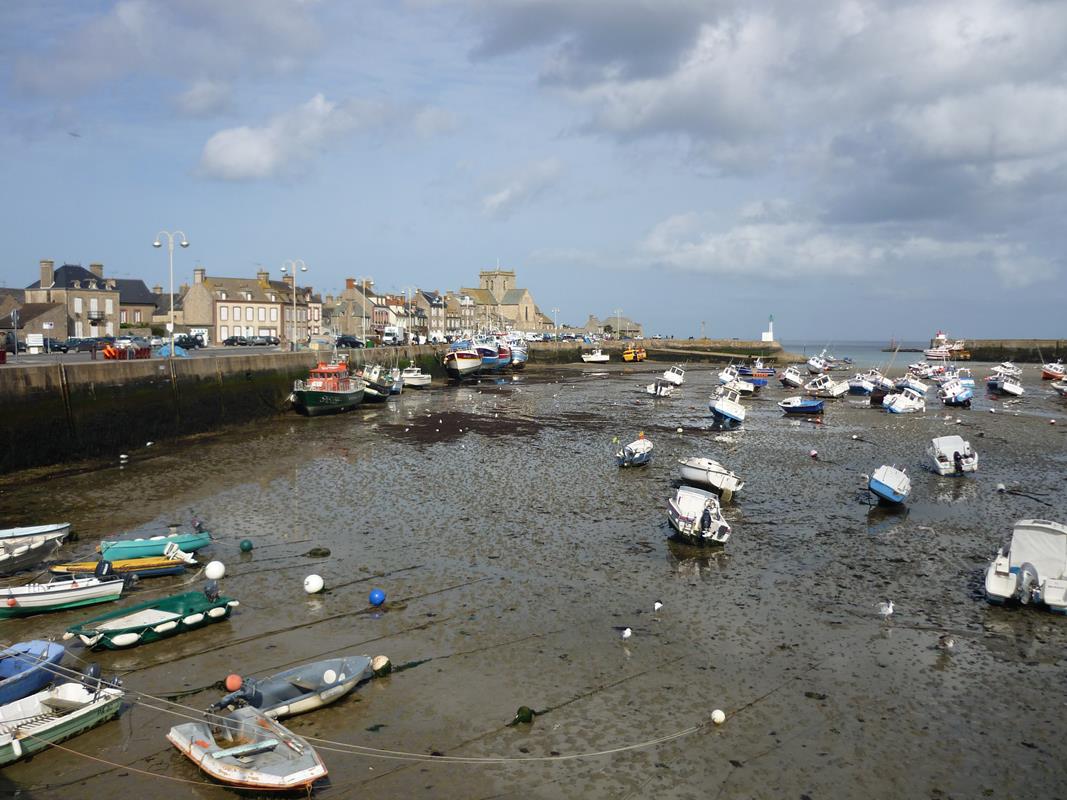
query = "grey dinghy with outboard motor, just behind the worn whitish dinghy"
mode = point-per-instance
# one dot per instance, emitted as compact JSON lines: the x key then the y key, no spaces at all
{"x":305,"y":689}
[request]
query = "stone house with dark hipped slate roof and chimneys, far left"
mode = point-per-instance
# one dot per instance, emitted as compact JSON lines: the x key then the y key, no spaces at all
{"x":91,"y":301}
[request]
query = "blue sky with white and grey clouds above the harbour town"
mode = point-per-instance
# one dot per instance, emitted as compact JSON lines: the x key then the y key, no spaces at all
{"x":861,"y":170}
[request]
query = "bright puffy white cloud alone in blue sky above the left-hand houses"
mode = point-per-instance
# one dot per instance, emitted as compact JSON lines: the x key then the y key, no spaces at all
{"x":290,"y":141}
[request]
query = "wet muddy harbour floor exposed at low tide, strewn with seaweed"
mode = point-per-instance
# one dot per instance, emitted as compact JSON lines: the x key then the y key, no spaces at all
{"x":511,"y":549}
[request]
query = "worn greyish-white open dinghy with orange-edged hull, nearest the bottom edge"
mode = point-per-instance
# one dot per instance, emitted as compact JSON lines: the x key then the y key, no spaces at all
{"x":249,"y":750}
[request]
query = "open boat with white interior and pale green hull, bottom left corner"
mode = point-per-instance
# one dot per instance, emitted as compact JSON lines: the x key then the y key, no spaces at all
{"x":34,"y":724}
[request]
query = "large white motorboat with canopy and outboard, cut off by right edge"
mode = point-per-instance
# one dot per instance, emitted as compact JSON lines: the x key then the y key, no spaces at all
{"x":1034,"y":568}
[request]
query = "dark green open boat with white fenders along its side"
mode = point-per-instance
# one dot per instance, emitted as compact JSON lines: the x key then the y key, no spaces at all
{"x":152,"y":621}
